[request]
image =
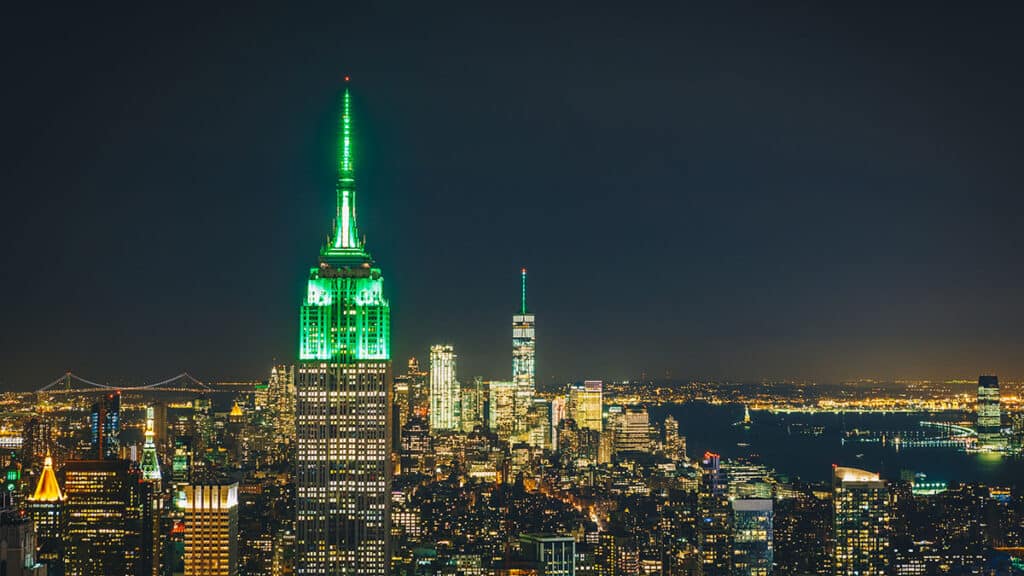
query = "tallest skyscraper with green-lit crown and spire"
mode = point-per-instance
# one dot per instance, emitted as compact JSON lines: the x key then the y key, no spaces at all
{"x":344,"y":405}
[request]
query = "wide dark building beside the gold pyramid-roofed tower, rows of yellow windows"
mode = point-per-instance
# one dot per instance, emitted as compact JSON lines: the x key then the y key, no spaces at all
{"x":104,"y":511}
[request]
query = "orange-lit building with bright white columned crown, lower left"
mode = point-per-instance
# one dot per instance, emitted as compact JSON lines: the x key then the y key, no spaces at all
{"x":211,"y":530}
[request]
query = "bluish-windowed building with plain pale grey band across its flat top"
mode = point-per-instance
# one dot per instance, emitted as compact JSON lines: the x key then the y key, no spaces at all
{"x":752,"y":538}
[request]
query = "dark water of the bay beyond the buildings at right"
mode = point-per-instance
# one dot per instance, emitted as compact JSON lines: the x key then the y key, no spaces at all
{"x":812,"y":459}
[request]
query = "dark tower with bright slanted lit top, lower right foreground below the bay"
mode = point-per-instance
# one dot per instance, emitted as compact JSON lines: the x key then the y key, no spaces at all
{"x":862,"y":520}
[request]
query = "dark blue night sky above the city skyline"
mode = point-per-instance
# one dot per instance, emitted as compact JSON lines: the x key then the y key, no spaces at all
{"x":738,"y":192}
